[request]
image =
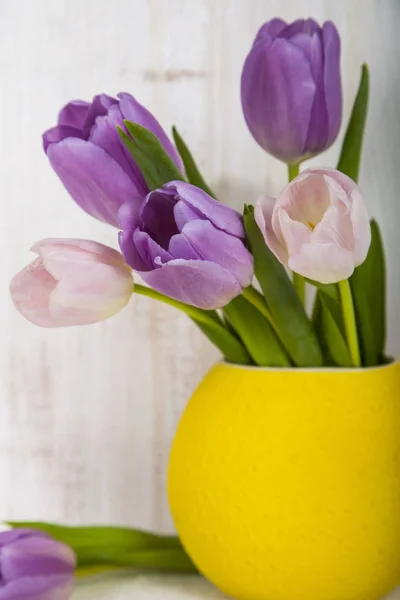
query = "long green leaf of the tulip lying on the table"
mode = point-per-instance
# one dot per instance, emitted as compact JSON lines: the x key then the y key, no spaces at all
{"x":111,"y":547}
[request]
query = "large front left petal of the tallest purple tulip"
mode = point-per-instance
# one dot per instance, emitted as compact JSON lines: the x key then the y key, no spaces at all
{"x":277,"y":98}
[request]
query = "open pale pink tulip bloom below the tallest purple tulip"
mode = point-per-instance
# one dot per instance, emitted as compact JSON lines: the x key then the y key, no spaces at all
{"x":318,"y":227}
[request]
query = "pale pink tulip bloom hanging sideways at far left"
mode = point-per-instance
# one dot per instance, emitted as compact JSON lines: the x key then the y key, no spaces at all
{"x":72,"y":282}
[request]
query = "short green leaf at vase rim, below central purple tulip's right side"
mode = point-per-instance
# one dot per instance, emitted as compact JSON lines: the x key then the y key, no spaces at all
{"x":256,"y":334}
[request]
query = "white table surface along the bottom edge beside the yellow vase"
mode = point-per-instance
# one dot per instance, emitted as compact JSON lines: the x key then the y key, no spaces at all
{"x":154,"y":587}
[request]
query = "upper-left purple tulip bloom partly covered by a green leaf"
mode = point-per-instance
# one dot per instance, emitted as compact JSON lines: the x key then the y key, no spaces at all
{"x":87,"y":154}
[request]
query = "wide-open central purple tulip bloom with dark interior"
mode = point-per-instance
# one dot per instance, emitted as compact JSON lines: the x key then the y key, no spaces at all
{"x":187,"y":245}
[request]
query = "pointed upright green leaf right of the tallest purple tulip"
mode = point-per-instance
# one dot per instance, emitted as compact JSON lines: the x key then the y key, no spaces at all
{"x":349,"y":161}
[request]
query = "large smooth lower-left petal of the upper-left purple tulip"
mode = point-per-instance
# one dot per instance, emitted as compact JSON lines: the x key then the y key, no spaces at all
{"x":93,"y":178}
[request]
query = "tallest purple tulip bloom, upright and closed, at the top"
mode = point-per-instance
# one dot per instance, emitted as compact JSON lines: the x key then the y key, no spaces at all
{"x":291,"y":88}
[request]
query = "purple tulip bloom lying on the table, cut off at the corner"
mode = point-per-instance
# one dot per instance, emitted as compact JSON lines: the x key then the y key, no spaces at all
{"x":33,"y":566}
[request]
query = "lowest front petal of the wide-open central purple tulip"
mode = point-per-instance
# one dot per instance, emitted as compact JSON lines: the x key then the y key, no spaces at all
{"x":199,"y":283}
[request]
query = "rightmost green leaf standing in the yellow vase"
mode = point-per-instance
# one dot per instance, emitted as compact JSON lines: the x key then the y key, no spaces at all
{"x":368,"y":286}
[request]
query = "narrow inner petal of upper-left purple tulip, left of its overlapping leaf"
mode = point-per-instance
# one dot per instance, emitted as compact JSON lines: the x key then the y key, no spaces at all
{"x":104,"y":134}
